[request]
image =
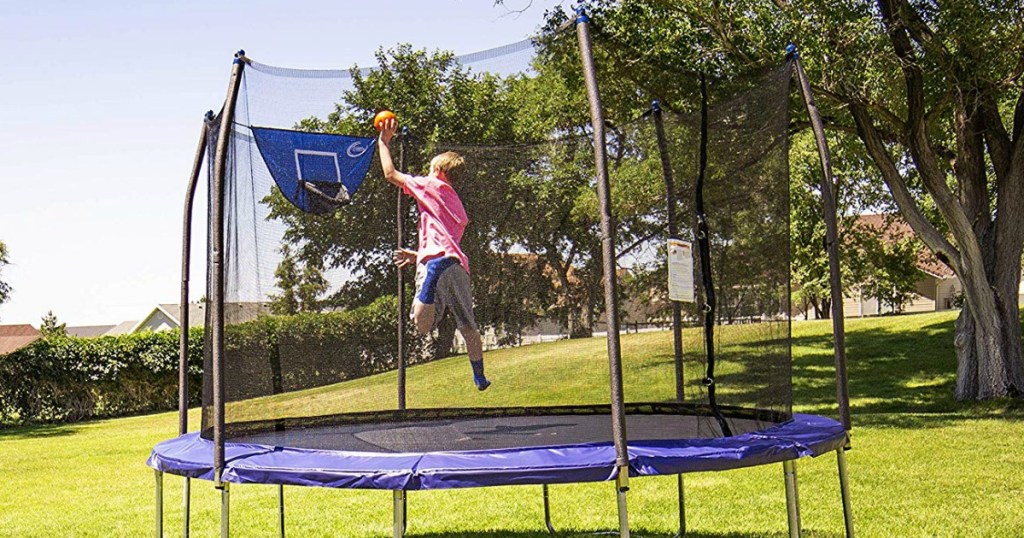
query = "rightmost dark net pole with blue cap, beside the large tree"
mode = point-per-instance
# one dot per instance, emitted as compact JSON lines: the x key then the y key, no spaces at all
{"x":832,"y":240}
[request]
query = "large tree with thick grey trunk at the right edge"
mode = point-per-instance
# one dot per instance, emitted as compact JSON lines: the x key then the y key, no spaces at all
{"x":934,"y":94}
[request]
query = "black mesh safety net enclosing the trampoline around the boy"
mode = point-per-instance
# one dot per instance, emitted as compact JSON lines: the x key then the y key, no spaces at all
{"x":311,"y":307}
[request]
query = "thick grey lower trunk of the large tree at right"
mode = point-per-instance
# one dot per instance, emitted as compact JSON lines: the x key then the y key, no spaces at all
{"x":989,"y":345}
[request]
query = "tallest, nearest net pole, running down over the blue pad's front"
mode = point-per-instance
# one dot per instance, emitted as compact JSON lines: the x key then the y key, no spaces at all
{"x":609,"y":256}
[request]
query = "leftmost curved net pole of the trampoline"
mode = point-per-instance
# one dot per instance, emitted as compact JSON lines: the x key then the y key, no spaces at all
{"x":186,"y":263}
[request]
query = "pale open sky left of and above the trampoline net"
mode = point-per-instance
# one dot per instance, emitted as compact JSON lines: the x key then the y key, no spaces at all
{"x":101,"y":110}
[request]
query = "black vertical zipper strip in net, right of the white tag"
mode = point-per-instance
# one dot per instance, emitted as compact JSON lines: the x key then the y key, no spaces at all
{"x":704,"y":246}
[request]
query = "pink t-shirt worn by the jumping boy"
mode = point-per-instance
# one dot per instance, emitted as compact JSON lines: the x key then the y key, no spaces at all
{"x":443,"y":220}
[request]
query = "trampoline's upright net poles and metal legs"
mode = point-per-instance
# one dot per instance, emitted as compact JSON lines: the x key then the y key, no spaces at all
{"x":622,"y":479}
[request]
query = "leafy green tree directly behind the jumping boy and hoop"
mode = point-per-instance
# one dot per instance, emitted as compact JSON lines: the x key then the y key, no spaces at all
{"x":437,"y":100}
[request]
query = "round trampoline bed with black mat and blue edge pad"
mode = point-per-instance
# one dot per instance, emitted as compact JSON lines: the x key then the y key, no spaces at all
{"x":544,"y":449}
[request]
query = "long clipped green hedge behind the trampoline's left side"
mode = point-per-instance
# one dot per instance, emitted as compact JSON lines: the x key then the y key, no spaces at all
{"x":63,"y":379}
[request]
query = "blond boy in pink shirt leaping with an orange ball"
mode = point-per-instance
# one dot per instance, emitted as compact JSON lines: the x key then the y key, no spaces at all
{"x":442,"y":267}
